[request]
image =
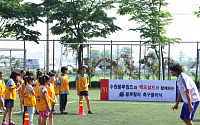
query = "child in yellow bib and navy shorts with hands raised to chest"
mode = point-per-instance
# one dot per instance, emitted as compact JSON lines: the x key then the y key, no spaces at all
{"x":10,"y":96}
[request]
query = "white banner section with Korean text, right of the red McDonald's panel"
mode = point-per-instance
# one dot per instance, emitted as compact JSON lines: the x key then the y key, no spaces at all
{"x":142,"y":90}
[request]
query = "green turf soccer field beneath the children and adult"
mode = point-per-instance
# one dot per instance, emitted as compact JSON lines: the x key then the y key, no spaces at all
{"x":113,"y":112}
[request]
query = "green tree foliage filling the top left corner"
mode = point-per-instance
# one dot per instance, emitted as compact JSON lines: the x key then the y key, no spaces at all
{"x":17,"y":18}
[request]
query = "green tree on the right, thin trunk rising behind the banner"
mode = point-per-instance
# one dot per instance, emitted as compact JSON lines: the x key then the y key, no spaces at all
{"x":153,"y":20}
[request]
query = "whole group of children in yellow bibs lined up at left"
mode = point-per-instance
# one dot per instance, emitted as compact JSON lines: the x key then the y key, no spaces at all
{"x":40,"y":94}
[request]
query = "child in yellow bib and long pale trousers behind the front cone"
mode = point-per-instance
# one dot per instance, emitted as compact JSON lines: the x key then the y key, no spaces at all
{"x":29,"y":98}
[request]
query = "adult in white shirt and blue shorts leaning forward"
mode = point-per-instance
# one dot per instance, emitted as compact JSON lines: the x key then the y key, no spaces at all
{"x":187,"y":92}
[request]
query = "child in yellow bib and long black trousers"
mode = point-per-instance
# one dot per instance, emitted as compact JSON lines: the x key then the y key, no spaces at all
{"x":63,"y":87}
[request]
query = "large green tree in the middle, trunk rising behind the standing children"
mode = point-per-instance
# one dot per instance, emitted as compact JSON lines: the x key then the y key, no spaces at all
{"x":79,"y":20}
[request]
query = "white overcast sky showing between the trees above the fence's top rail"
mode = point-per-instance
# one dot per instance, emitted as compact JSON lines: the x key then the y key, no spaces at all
{"x":185,"y":24}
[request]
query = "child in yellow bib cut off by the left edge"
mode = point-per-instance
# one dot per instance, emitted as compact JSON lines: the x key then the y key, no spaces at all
{"x":2,"y":91}
